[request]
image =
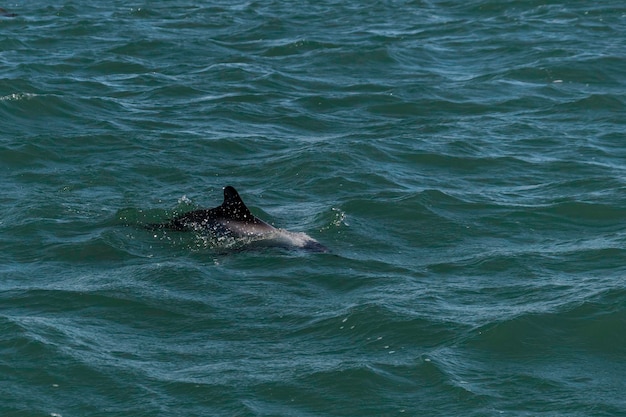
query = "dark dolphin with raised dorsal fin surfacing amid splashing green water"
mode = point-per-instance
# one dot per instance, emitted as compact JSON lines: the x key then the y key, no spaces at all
{"x":235,"y":221}
